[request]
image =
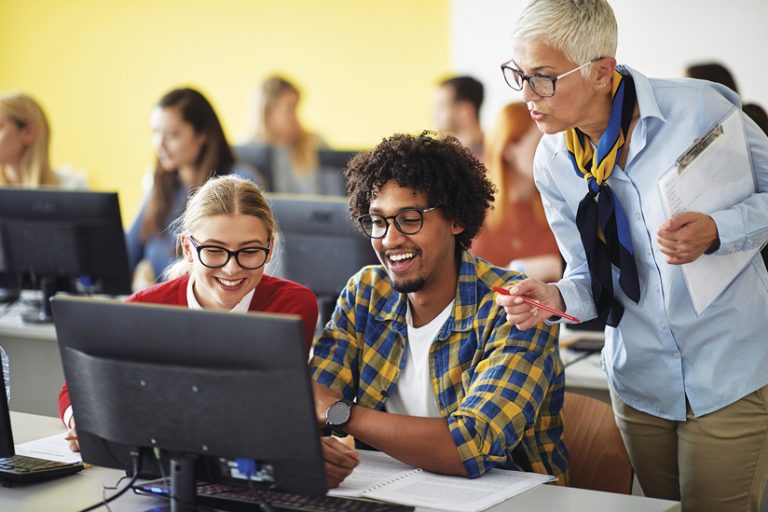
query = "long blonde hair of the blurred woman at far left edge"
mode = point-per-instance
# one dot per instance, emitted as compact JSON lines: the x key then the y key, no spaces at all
{"x":35,"y":168}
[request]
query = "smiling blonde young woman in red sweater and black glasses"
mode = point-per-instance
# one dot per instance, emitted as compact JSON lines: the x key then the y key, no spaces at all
{"x":226,"y":236}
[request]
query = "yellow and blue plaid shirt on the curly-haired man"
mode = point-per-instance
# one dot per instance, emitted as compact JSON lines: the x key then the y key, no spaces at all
{"x":499,"y":388}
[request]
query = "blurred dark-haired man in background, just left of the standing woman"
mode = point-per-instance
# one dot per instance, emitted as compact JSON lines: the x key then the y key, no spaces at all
{"x":457,"y":111}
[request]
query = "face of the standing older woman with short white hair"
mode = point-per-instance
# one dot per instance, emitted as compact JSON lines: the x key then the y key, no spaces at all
{"x":577,"y":102}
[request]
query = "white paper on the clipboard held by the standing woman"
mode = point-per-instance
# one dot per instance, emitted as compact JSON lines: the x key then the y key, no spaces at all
{"x":713,"y":174}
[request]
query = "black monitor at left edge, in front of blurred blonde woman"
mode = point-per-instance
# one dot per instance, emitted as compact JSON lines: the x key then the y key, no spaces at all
{"x":56,"y":240}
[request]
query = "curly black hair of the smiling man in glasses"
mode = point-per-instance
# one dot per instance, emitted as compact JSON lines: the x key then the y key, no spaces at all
{"x":439,"y":166}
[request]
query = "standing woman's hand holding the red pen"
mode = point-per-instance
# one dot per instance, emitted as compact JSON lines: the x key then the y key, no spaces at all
{"x":522,"y":315}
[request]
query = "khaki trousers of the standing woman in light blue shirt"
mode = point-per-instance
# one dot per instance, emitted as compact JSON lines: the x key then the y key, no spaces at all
{"x":717,"y":462}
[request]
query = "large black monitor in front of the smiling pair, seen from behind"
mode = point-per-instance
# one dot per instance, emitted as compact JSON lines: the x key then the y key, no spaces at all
{"x":203,"y":387}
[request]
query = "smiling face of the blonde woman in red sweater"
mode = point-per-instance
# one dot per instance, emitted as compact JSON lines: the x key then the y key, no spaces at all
{"x":222,"y":288}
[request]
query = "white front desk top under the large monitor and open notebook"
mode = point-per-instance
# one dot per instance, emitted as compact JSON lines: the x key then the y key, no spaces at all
{"x":83,"y":489}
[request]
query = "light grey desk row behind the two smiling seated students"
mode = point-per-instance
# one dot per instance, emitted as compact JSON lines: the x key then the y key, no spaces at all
{"x":36,"y":372}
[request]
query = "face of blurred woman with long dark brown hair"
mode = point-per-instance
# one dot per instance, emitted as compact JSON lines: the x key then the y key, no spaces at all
{"x":175,"y":141}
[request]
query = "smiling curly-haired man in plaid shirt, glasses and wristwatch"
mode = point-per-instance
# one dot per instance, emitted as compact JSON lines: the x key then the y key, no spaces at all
{"x":417,"y":360}
